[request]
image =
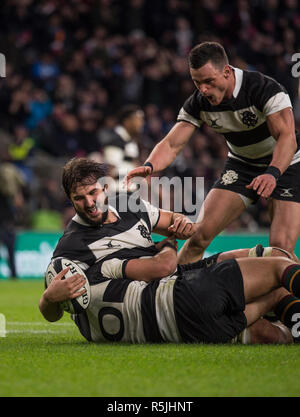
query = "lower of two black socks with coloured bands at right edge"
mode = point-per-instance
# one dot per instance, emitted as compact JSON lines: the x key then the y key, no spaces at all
{"x":288,"y":312}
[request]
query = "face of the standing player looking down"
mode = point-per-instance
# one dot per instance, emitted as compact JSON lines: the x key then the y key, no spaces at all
{"x":213,"y":83}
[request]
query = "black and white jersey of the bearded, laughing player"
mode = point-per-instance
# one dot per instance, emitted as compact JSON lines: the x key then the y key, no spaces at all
{"x":113,"y":243}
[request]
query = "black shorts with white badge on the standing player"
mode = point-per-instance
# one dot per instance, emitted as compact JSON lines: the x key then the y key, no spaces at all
{"x":236,"y":175}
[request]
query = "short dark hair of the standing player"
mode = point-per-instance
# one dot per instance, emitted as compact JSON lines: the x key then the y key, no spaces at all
{"x":204,"y":52}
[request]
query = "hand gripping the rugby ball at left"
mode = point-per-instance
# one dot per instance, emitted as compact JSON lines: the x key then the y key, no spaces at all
{"x":61,"y":289}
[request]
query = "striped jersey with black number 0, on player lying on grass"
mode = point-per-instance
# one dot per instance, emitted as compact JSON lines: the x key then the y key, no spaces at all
{"x":123,"y":310}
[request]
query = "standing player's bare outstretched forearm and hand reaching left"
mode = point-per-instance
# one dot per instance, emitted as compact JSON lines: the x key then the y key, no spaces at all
{"x":164,"y":152}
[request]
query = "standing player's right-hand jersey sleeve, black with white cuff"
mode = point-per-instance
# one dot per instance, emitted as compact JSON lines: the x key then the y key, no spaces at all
{"x":272,"y":97}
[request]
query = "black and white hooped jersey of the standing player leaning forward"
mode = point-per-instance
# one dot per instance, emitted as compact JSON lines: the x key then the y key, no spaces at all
{"x":242,"y":119}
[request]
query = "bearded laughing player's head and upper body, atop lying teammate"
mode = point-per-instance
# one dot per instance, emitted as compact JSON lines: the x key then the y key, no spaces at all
{"x":106,"y":229}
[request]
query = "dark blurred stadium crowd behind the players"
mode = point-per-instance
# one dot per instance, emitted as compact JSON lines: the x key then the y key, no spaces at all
{"x":75,"y":67}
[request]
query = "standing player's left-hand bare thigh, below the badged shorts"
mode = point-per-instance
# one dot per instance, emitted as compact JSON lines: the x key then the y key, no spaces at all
{"x":219,"y":209}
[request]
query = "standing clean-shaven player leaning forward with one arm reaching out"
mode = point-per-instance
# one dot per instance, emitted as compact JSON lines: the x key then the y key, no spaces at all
{"x":254,"y":113}
